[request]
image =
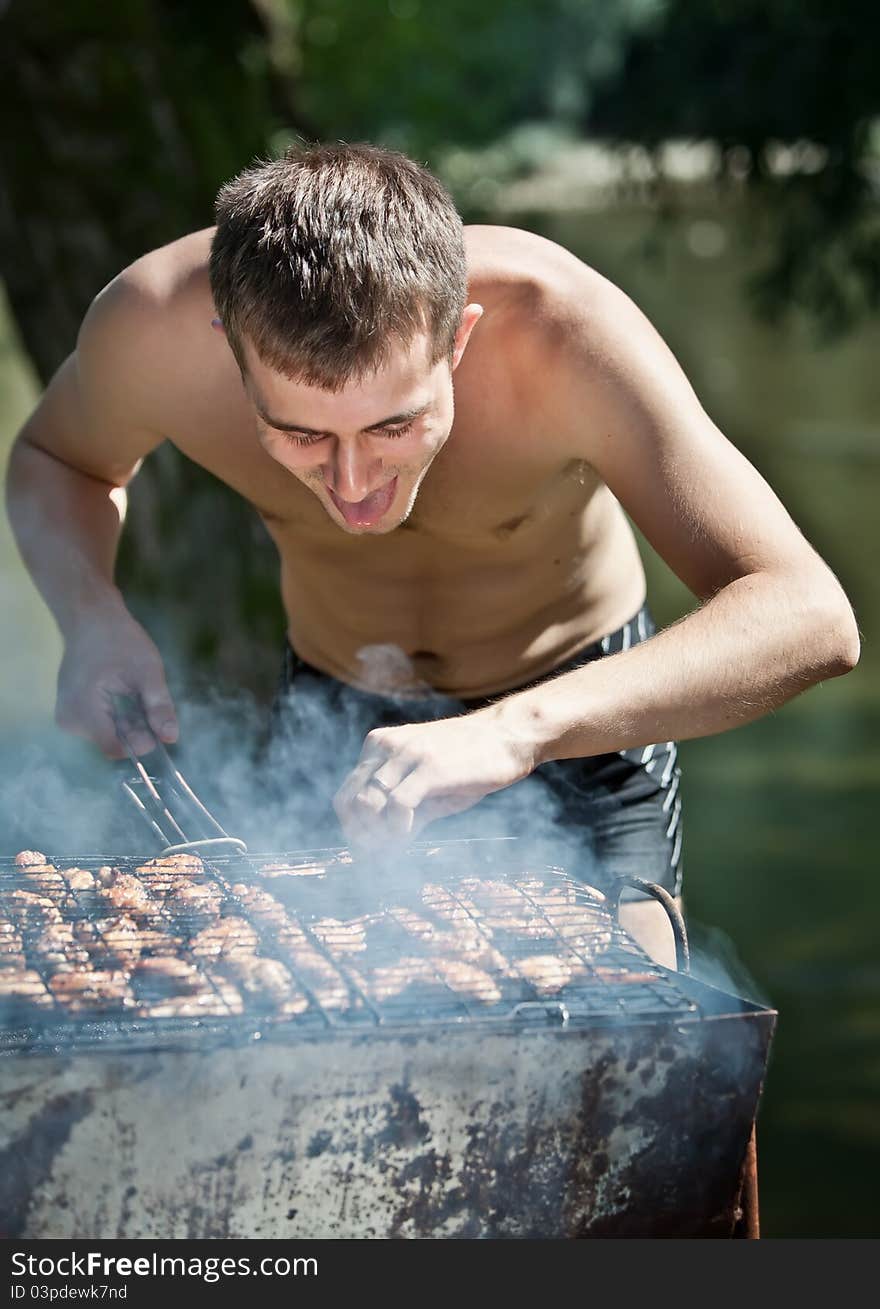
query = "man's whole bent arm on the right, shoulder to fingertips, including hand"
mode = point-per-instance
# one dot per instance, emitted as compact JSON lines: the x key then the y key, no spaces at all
{"x":772,"y":622}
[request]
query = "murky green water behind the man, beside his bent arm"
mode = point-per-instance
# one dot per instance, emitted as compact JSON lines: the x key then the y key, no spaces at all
{"x":781,"y":852}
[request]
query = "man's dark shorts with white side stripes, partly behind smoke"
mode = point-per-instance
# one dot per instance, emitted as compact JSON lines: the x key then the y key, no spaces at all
{"x":602,"y":817}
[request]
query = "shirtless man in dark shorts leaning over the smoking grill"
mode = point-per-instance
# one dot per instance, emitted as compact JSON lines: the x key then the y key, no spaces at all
{"x":306,"y":355}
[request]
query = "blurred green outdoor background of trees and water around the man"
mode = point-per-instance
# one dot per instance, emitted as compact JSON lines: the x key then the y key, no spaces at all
{"x":721,"y":162}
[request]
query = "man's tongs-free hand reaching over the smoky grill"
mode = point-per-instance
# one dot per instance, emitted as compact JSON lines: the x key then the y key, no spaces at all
{"x":408,"y":777}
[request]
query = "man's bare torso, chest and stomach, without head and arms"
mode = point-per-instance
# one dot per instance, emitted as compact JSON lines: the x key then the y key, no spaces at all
{"x":515,"y":557}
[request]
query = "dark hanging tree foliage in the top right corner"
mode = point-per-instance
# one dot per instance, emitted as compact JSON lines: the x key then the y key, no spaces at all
{"x":790,"y":92}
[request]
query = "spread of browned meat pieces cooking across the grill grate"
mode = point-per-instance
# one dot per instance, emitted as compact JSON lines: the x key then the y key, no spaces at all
{"x":170,"y":942}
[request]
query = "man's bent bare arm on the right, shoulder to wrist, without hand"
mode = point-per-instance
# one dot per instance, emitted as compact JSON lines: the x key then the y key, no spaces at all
{"x":773,"y":619}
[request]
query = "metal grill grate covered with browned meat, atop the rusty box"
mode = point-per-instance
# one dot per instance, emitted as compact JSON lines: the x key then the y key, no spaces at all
{"x":113,"y":954}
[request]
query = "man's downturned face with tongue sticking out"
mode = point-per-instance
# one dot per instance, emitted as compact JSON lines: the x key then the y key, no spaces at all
{"x":366,"y":450}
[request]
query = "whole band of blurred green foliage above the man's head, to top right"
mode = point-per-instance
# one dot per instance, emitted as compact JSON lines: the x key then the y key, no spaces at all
{"x":786,"y":88}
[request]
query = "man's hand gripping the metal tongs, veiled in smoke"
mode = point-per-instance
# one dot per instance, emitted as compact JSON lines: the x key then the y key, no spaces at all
{"x":105,"y":659}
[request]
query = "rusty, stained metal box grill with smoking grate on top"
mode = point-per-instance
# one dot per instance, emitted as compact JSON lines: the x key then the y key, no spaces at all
{"x":471,"y":1050}
